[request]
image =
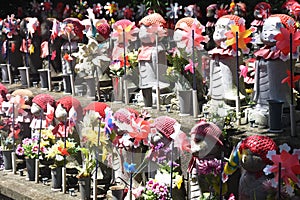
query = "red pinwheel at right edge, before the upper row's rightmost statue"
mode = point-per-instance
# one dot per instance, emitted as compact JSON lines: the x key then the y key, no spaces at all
{"x":283,"y":40}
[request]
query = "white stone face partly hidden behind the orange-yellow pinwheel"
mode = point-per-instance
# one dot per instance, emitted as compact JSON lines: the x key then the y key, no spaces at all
{"x":221,"y":27}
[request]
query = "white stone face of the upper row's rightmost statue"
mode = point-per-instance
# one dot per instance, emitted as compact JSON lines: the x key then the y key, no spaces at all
{"x":270,"y":29}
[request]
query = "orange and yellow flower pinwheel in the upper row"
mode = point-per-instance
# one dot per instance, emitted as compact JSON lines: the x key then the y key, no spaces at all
{"x":243,"y":37}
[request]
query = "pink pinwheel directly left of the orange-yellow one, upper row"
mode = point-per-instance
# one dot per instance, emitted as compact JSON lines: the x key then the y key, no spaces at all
{"x":198,"y":37}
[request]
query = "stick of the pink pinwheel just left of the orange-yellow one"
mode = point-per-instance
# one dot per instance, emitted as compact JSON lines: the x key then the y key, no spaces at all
{"x":195,"y":99}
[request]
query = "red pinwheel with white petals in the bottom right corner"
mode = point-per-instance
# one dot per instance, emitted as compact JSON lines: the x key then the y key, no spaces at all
{"x":290,"y":166}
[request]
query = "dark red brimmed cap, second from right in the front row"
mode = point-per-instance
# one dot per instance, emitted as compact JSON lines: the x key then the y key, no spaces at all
{"x":208,"y":129}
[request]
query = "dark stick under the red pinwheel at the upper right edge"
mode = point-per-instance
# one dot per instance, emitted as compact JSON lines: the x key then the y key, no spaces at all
{"x":292,"y":108}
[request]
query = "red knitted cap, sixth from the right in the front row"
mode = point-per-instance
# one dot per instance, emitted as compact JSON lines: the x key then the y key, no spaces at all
{"x":67,"y":102}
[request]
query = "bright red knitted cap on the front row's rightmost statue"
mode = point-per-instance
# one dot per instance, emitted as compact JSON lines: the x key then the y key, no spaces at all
{"x":259,"y":145}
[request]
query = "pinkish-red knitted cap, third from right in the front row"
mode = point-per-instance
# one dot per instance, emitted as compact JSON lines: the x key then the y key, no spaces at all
{"x":165,"y":125}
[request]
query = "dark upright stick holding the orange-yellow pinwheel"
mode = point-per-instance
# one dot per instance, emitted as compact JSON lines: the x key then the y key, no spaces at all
{"x":237,"y":81}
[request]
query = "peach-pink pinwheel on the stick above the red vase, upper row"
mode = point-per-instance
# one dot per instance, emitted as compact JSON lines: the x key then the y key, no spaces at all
{"x":130,"y":32}
